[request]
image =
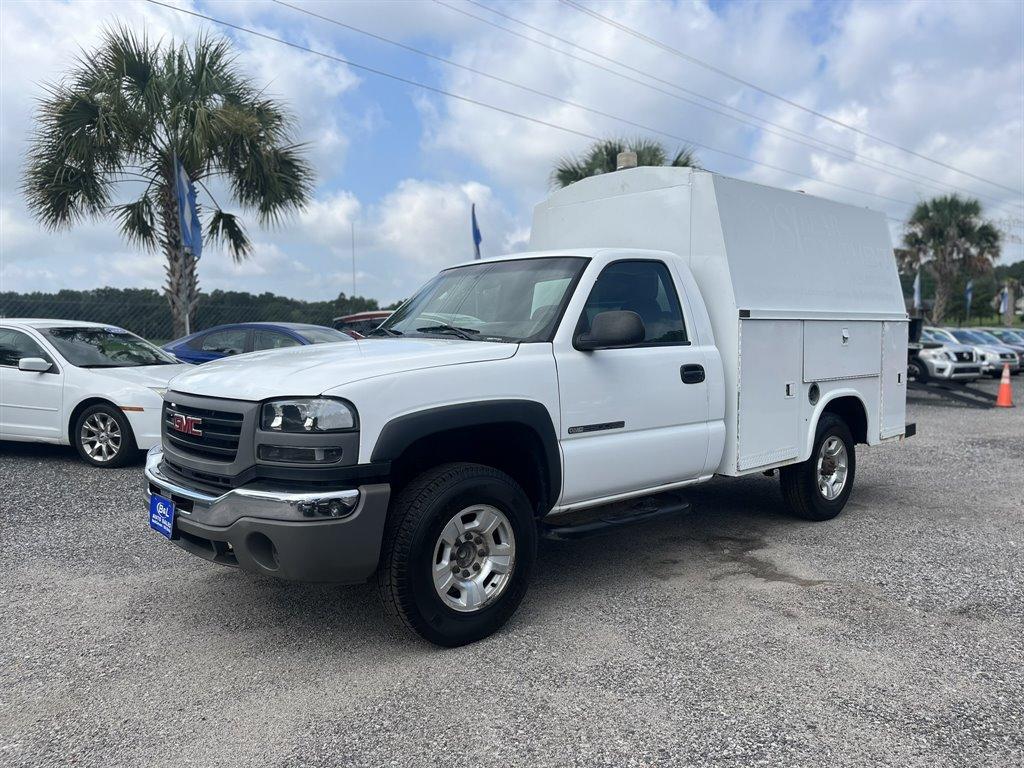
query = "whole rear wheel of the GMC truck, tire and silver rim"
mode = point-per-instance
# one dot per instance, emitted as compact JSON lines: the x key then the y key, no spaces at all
{"x":821,"y":487}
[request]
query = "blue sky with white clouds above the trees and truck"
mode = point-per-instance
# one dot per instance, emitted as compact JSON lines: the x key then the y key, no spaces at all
{"x":943,"y":79}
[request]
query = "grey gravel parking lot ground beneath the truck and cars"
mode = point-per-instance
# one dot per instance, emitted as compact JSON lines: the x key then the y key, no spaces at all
{"x":893,"y":635}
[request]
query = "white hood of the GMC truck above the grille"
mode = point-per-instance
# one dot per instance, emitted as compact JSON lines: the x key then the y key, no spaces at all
{"x":315,"y":369}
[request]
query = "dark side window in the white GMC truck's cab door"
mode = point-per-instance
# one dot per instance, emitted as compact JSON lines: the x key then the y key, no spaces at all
{"x":645,"y":288}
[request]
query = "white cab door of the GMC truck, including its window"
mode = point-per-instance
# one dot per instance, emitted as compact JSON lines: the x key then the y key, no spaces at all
{"x":632,"y":418}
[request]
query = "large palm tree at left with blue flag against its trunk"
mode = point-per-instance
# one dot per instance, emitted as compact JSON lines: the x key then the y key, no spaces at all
{"x":111,"y":130}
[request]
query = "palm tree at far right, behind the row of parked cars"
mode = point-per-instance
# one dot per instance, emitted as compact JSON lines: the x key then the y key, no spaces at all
{"x":948,"y":236}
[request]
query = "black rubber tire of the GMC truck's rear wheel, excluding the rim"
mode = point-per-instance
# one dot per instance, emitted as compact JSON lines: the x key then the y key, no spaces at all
{"x":800,"y":482}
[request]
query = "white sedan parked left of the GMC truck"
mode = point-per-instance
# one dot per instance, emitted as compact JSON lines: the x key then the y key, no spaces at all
{"x":96,"y":388}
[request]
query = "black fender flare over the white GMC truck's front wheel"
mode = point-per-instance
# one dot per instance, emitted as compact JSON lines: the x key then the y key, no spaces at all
{"x":403,"y":432}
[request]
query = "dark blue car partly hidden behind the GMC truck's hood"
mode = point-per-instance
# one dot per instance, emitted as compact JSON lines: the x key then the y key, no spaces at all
{"x":224,"y":342}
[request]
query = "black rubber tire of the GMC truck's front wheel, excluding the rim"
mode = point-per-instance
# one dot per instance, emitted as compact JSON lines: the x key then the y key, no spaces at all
{"x":417,"y":518}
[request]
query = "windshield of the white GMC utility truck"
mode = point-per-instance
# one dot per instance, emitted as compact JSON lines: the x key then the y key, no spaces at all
{"x":517,"y":302}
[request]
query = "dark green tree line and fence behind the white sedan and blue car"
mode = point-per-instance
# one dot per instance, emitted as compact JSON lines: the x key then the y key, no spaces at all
{"x":146,"y":313}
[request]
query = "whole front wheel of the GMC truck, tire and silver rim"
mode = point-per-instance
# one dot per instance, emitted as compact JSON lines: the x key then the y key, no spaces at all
{"x":458,"y":553}
